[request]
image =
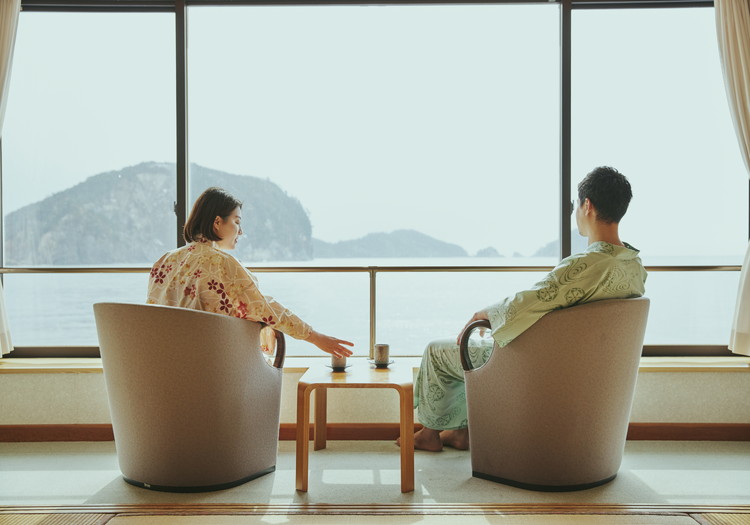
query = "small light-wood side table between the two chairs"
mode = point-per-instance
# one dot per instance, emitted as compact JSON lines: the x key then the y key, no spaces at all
{"x":359,"y":375}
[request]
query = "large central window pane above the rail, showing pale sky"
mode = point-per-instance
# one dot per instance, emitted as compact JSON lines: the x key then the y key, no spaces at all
{"x":386,"y":118}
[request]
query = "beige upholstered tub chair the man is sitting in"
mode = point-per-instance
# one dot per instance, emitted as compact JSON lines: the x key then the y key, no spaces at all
{"x":550,"y":410}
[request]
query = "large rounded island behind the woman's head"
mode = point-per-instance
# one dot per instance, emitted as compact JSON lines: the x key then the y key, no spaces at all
{"x":127,"y":217}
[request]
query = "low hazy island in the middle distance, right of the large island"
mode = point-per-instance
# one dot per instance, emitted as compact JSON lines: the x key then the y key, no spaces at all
{"x":400,"y":243}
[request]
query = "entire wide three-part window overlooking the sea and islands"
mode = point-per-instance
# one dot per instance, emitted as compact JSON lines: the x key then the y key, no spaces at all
{"x":370,"y":144}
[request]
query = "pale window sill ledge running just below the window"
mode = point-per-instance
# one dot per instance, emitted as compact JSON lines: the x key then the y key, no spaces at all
{"x":77,"y":365}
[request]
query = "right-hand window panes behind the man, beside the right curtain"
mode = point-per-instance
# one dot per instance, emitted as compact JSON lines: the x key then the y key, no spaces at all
{"x":648,"y":98}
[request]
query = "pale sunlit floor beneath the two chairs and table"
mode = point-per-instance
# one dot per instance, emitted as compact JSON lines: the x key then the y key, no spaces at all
{"x":659,"y":483}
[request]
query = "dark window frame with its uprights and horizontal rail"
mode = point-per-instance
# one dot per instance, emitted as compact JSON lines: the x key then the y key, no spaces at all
{"x":179,"y":8}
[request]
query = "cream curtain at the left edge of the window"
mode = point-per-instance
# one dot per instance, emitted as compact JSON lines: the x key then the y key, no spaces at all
{"x":9,"y":10}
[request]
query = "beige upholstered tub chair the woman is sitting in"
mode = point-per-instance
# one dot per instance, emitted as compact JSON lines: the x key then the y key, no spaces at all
{"x":194,"y":404}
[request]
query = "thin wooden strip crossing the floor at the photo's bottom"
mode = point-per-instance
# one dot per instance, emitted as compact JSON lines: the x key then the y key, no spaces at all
{"x":374,"y":509}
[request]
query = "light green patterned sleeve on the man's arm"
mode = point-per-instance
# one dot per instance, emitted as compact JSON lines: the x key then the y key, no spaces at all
{"x":567,"y":284}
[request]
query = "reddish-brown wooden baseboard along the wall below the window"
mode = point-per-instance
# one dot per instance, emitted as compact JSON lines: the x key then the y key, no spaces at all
{"x":381,"y":432}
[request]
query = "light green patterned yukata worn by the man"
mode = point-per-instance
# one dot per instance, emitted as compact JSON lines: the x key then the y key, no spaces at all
{"x":603,"y":271}
